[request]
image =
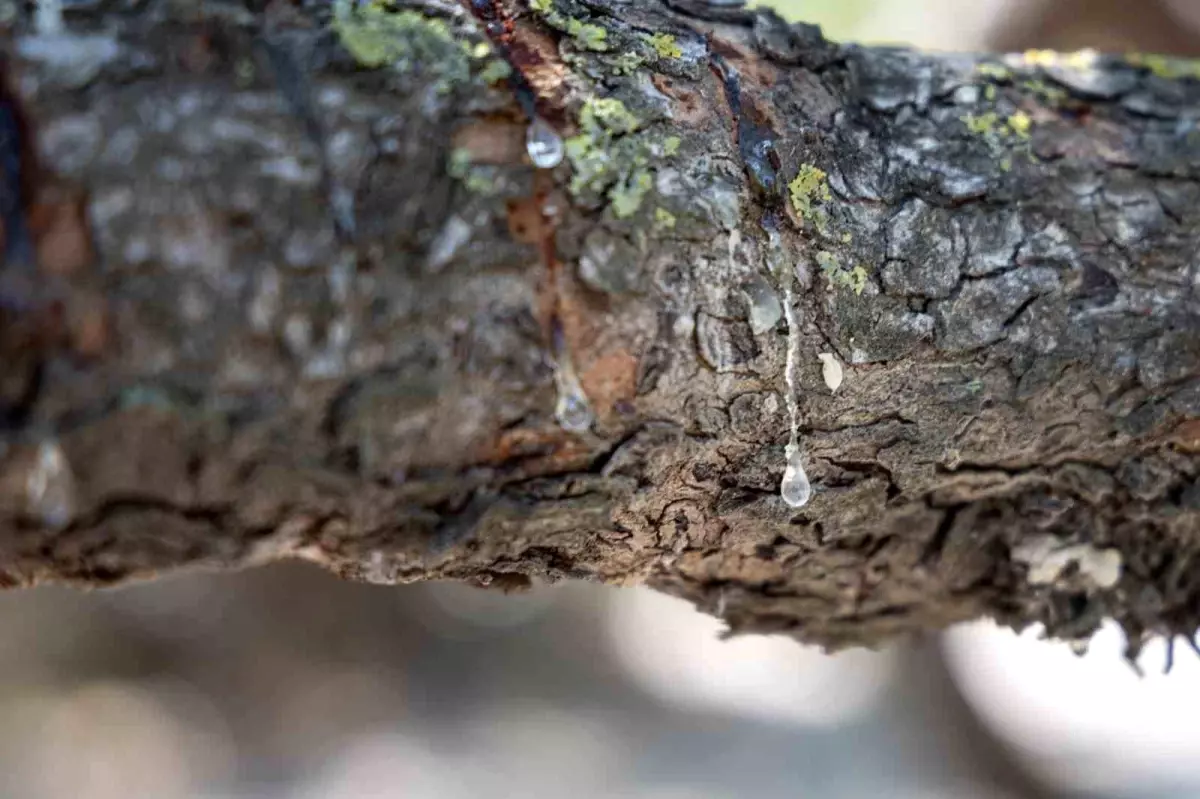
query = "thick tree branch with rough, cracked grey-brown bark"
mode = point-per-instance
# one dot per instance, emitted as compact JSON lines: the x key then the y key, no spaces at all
{"x":295,"y":290}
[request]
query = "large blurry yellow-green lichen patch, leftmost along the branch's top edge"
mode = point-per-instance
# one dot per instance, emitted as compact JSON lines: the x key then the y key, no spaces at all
{"x":377,"y":35}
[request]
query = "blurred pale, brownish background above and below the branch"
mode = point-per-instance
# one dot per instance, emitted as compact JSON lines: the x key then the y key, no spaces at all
{"x":289,"y":683}
